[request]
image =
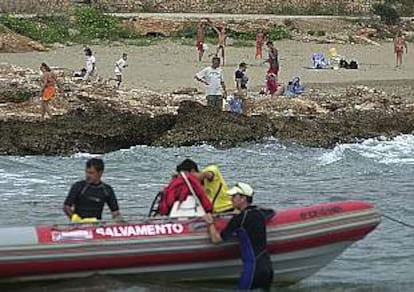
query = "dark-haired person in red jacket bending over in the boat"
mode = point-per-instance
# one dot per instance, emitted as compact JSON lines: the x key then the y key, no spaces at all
{"x":178,"y":189}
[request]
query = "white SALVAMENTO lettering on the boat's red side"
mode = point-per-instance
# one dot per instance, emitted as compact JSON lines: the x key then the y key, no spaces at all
{"x":140,"y":230}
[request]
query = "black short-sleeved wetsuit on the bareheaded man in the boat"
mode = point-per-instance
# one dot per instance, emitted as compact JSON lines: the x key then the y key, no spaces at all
{"x":89,"y":199}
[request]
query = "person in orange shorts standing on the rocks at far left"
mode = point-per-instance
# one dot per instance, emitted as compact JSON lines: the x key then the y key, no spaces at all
{"x":48,"y":91}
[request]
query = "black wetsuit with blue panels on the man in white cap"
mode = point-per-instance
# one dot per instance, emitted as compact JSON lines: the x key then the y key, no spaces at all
{"x":250,"y":228}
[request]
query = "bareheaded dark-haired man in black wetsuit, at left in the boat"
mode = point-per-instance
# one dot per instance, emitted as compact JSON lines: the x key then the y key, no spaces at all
{"x":87,"y":198}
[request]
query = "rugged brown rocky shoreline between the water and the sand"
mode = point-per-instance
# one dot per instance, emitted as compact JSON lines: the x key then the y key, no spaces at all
{"x":99,"y":119}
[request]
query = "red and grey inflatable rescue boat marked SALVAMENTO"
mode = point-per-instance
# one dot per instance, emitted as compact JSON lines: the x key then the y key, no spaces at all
{"x":301,"y":241}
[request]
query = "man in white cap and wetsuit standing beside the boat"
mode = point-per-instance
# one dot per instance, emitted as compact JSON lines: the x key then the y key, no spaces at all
{"x":250,"y":228}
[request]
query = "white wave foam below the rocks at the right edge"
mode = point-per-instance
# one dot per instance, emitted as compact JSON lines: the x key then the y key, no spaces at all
{"x":399,"y":150}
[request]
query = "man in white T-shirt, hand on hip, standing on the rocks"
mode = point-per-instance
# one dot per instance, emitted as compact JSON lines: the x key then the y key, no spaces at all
{"x":213,"y":78}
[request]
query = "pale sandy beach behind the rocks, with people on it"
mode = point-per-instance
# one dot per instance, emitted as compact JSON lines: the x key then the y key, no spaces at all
{"x":168,"y":65}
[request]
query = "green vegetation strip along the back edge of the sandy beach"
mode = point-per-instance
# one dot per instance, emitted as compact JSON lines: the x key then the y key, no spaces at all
{"x":90,"y":25}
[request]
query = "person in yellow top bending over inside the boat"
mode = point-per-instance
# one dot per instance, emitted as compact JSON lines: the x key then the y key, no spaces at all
{"x":216,"y":189}
